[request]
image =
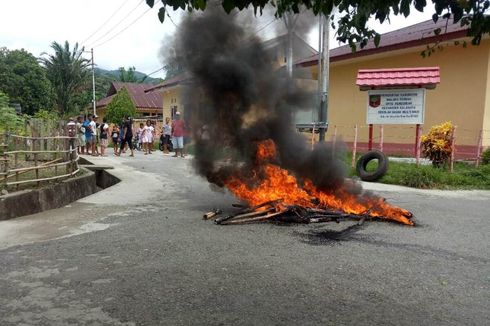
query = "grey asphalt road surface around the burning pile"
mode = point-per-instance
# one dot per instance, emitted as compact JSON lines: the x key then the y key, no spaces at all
{"x":139,"y":253}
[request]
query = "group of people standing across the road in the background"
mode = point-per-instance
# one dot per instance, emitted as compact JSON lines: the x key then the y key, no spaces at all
{"x":92,"y":134}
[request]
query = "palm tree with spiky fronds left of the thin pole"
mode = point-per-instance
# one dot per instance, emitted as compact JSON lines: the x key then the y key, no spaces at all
{"x":68,"y":73}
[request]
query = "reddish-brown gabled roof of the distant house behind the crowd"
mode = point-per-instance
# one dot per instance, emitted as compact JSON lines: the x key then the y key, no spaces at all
{"x":141,"y":99}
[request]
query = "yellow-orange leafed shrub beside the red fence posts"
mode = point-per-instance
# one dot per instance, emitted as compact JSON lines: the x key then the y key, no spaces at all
{"x":436,"y":145}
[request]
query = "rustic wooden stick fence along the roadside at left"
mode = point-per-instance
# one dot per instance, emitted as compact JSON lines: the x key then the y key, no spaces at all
{"x":34,"y":160}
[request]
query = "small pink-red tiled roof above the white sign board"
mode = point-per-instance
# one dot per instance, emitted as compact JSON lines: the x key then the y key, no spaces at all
{"x":423,"y":76}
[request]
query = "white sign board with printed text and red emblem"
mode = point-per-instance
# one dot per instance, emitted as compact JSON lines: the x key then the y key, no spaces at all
{"x":396,"y":106}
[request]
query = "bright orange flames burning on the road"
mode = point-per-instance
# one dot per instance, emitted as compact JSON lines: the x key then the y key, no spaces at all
{"x":270,"y":182}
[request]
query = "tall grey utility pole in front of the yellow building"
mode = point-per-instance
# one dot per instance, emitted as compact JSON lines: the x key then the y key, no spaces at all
{"x":323,"y":74}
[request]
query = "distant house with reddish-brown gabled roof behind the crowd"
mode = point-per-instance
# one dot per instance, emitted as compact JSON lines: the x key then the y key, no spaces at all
{"x":148,"y":104}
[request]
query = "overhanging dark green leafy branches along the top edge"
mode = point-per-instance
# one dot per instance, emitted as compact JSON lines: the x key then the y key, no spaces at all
{"x":354,"y":14}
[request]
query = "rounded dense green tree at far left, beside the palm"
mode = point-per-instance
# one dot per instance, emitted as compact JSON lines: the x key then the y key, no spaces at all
{"x":24,"y":80}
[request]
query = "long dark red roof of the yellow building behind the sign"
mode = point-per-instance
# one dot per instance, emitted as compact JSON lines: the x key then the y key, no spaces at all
{"x":415,"y":35}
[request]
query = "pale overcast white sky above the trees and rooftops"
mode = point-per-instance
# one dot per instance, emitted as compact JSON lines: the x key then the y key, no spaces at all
{"x":131,"y":37}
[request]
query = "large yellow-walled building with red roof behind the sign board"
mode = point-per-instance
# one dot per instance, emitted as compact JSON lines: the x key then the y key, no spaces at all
{"x":463,"y":95}
